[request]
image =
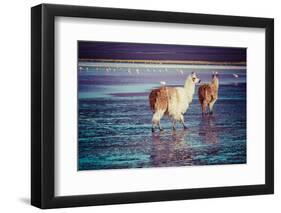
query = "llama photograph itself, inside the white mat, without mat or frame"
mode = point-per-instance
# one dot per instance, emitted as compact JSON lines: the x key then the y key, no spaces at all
{"x":143,"y":105}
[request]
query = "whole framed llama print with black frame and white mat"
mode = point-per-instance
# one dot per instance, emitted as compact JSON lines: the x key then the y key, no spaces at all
{"x":139,"y":106}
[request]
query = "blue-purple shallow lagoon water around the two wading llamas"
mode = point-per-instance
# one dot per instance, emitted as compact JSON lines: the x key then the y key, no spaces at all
{"x":115,"y":122}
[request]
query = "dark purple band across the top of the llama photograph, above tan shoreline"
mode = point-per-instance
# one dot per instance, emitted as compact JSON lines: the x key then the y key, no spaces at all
{"x":138,"y":51}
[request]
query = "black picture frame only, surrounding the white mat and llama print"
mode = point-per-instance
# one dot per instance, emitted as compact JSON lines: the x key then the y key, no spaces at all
{"x":43,"y":102}
